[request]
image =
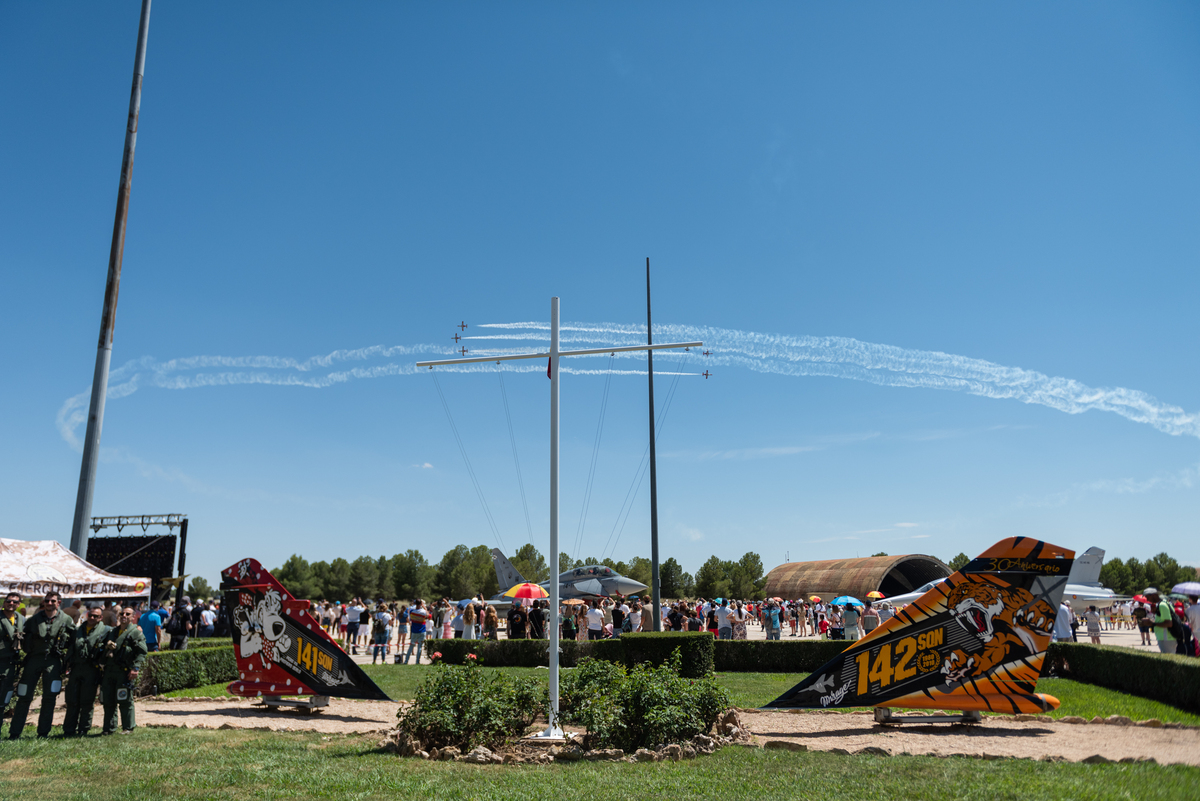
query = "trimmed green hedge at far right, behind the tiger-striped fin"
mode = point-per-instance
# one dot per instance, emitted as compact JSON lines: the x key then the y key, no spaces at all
{"x":1166,"y":678}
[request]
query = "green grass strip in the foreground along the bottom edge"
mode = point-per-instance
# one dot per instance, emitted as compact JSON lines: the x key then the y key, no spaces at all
{"x":238,"y":764}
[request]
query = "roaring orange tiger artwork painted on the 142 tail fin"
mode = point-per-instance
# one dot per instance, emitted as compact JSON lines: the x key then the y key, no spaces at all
{"x":1007,"y":621}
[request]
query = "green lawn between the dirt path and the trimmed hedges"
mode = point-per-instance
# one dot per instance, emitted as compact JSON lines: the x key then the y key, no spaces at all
{"x":753,"y":690}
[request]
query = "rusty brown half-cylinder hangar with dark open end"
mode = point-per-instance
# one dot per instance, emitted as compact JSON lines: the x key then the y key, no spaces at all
{"x":855,"y":577}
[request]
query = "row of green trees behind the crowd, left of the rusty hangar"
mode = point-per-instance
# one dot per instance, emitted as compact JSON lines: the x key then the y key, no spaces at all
{"x":464,"y":571}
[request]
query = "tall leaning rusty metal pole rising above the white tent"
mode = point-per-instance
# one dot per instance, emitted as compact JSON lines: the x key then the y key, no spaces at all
{"x":109,"y":316}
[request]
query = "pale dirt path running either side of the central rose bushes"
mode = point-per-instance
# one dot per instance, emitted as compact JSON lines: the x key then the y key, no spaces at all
{"x":815,"y":731}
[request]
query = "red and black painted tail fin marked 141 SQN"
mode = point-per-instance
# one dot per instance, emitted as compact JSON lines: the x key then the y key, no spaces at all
{"x":281,"y":649}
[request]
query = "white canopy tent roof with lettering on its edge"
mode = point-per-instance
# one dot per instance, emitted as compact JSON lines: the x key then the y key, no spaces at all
{"x":34,"y":568}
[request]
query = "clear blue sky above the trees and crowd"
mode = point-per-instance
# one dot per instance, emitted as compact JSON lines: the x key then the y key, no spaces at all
{"x":1009,"y":186}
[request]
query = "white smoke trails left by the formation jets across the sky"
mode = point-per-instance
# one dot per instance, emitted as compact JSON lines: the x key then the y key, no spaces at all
{"x":802,"y":357}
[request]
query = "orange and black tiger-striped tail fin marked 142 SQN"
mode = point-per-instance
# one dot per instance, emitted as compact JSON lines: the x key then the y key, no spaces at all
{"x":973,"y":643}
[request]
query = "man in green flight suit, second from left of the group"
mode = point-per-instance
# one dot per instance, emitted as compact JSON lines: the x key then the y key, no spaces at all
{"x":47,"y":637}
